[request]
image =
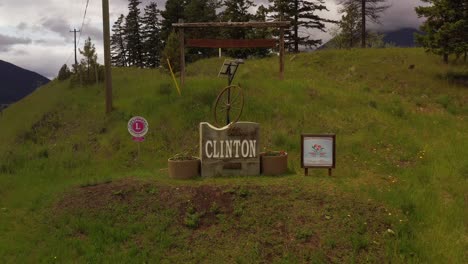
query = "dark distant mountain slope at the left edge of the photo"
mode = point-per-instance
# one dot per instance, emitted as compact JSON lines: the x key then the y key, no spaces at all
{"x":16,"y":82}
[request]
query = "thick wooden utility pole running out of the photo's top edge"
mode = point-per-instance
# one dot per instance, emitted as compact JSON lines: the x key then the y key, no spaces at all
{"x":107,"y":56}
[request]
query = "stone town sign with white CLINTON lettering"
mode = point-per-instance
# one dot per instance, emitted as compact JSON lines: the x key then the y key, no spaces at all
{"x":230,"y":151}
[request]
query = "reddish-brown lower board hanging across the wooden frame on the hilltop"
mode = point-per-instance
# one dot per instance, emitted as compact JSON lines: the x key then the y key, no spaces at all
{"x":231,"y":43}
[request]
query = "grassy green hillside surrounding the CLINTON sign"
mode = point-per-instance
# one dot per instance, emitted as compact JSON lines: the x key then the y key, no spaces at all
{"x":73,"y":188}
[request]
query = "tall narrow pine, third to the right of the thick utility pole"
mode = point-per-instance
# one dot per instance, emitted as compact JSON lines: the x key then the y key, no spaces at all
{"x":151,"y":35}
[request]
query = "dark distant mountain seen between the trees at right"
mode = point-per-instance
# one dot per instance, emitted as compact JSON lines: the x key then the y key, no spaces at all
{"x":403,"y":37}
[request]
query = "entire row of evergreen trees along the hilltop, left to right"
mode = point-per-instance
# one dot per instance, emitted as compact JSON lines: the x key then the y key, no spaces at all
{"x":146,"y":39}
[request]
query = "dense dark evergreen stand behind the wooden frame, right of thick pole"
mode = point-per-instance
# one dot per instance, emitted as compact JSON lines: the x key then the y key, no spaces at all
{"x":142,"y":39}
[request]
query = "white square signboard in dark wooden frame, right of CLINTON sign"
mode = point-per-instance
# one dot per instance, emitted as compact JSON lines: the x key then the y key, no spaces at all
{"x":318,"y":151}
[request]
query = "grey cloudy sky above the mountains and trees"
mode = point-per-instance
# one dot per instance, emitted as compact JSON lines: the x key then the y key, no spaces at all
{"x":35,"y":34}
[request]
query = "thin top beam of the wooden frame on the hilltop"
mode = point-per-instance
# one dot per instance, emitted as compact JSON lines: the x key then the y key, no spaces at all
{"x":275,"y":24}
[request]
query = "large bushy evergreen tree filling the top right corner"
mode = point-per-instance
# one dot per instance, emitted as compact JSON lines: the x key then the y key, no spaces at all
{"x":446,"y":27}
